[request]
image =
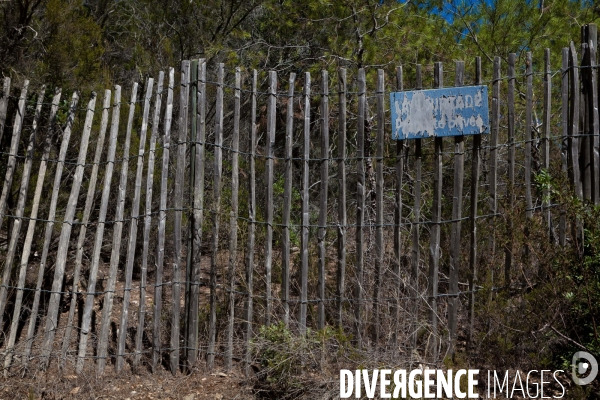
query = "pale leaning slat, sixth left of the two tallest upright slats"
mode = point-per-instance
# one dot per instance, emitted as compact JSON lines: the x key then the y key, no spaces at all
{"x":89,"y":200}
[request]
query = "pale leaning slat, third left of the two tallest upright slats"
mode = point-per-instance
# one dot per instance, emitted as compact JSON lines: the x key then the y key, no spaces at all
{"x":135,"y":213}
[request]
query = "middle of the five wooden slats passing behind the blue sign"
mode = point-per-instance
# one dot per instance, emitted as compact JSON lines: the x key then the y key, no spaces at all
{"x":436,"y":218}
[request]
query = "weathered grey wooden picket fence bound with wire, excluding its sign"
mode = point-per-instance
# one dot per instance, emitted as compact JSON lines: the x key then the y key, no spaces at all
{"x":256,"y":217}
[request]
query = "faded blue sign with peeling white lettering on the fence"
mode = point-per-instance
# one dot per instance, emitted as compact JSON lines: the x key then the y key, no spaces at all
{"x":440,"y":112}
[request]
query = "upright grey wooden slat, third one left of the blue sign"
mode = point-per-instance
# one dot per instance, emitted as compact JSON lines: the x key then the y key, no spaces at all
{"x":342,"y":216}
